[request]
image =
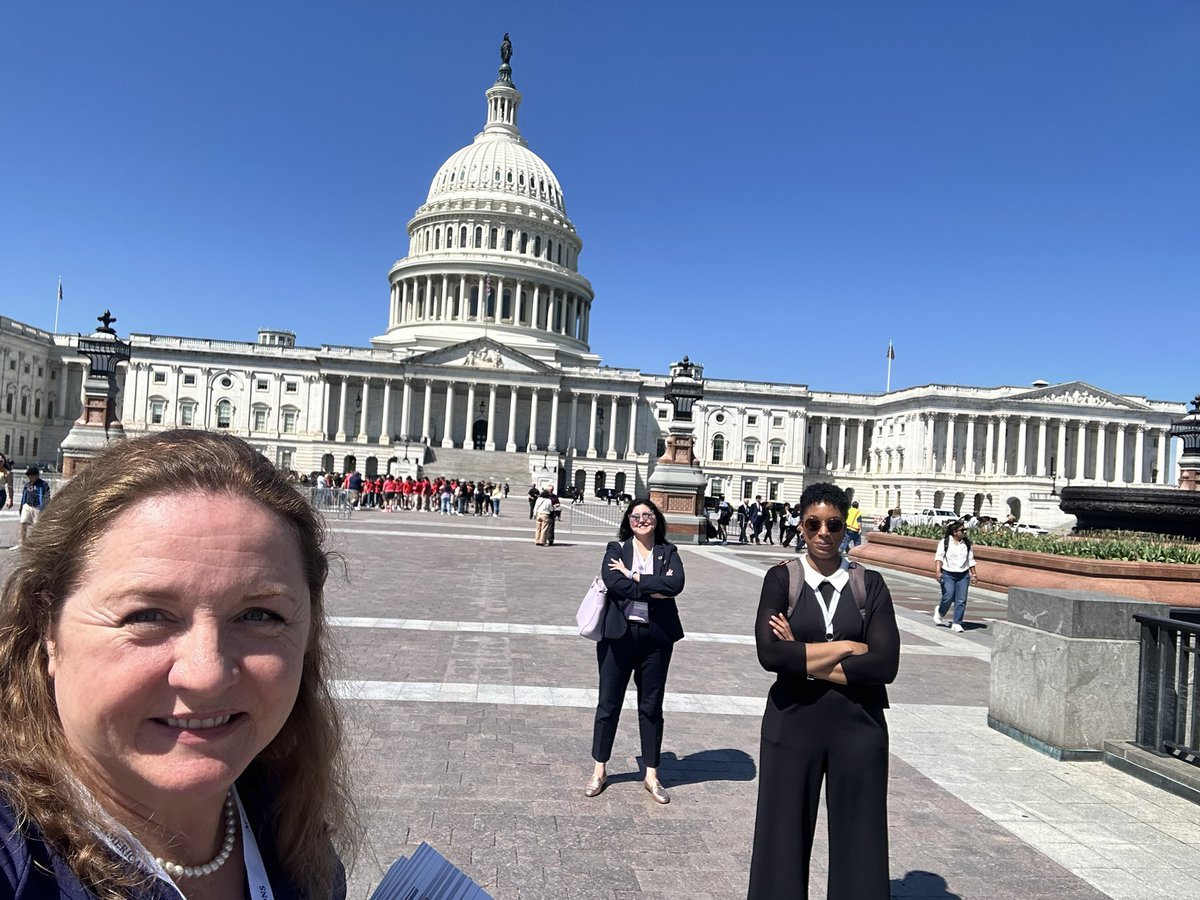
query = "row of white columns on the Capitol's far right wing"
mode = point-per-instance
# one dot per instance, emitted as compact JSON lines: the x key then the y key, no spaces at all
{"x":1034,"y":441}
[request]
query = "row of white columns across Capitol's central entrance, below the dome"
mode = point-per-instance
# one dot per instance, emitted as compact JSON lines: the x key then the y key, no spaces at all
{"x":451,"y":392}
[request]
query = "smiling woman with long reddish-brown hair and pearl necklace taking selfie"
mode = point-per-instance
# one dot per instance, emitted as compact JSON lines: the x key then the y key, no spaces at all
{"x":167,"y":728}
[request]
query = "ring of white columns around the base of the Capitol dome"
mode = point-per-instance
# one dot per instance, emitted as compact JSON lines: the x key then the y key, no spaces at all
{"x":447,"y":298}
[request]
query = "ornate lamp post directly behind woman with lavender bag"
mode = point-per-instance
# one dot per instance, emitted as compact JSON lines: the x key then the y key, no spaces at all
{"x":677,"y":484}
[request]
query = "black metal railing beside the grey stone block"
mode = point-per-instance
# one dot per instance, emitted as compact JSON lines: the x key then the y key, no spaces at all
{"x":1168,"y":700}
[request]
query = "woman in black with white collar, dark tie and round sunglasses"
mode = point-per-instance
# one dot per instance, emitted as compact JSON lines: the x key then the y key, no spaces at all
{"x":832,"y":643}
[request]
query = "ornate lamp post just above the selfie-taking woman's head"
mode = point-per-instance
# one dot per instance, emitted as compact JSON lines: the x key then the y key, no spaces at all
{"x":98,"y":424}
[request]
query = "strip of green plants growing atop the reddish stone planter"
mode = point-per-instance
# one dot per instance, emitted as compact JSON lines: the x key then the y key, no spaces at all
{"x":1129,"y":547}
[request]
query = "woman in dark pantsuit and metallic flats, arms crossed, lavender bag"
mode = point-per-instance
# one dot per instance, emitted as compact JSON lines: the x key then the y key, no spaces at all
{"x":644,"y":575}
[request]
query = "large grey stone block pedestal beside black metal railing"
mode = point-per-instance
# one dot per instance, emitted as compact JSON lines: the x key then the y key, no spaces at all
{"x":1065,"y":671}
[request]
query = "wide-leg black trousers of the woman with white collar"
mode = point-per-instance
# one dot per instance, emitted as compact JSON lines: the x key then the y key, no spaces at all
{"x":847,"y":746}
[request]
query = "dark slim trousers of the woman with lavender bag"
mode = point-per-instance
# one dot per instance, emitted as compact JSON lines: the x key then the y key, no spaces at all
{"x":634,"y":653}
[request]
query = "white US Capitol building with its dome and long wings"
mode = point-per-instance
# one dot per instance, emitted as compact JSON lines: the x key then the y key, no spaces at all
{"x":485,"y":371}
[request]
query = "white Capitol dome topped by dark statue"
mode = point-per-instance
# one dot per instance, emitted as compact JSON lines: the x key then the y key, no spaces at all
{"x":491,"y":253}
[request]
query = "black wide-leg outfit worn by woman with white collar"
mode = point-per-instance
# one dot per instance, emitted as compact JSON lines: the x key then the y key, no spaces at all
{"x":817,"y":731}
